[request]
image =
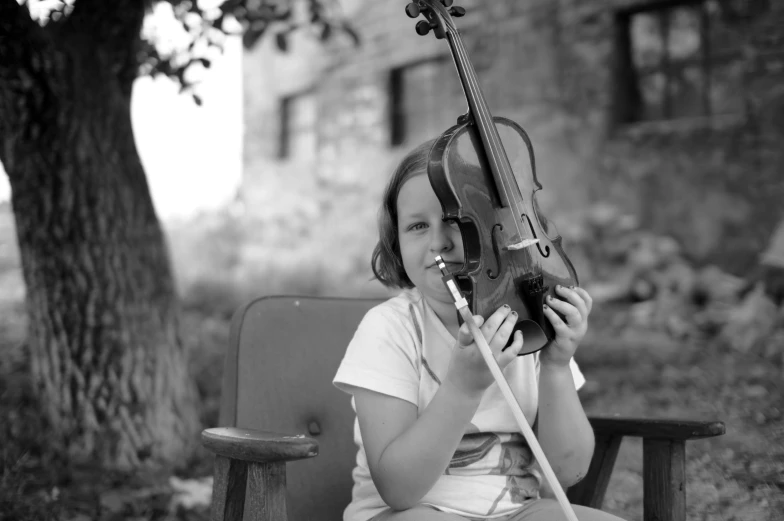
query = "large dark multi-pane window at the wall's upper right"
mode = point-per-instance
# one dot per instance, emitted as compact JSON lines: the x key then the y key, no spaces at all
{"x":675,"y":60}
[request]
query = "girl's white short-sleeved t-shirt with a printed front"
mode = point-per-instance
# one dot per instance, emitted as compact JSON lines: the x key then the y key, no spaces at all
{"x":402,"y":349}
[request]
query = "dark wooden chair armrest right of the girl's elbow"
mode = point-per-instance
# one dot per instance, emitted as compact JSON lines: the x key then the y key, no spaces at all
{"x":653,"y":428}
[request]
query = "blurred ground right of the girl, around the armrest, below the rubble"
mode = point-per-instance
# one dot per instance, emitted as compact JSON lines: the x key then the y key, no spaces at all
{"x":737,"y":476}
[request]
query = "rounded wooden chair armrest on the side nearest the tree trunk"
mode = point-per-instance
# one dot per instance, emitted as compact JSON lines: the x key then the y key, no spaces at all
{"x":258,"y":446}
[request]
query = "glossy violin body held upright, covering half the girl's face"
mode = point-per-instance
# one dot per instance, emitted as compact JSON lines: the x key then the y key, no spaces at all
{"x":494,"y":274}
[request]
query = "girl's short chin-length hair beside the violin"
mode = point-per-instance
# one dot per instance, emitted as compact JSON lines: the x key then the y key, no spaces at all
{"x":386,"y":262}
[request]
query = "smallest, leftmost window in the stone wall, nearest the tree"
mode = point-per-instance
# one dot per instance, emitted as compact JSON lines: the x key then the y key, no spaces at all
{"x":298,"y":127}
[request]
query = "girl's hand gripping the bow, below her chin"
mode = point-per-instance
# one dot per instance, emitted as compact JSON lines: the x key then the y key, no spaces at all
{"x":468,"y":371}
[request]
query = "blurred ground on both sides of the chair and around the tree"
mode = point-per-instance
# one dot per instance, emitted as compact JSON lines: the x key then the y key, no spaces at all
{"x":735,"y":477}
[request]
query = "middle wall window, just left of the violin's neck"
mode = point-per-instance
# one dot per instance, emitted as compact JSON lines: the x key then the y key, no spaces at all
{"x":424,"y":100}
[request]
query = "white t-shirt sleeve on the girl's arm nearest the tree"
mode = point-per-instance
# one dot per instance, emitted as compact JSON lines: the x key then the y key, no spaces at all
{"x":382,"y":356}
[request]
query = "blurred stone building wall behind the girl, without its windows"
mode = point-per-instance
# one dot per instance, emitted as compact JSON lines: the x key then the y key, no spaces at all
{"x":715,"y":183}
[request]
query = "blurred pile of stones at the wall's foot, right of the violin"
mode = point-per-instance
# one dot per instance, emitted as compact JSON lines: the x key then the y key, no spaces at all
{"x":658,"y":288}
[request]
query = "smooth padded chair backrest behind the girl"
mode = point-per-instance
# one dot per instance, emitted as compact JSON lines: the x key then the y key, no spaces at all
{"x":277,"y":376}
